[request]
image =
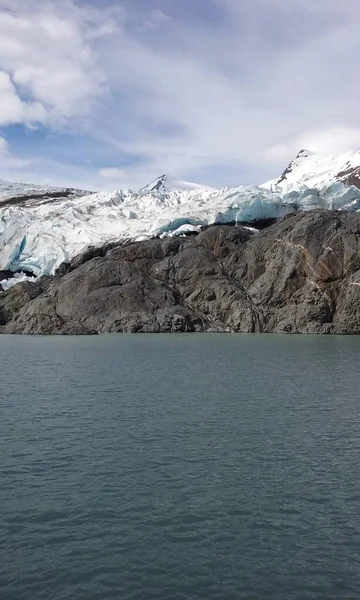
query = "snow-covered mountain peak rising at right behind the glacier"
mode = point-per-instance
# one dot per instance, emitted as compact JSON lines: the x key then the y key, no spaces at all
{"x":317,"y":169}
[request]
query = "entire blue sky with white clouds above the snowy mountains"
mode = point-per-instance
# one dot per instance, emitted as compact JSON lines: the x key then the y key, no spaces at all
{"x":106,"y":94}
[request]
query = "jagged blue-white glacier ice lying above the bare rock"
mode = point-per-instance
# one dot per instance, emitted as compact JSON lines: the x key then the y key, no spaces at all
{"x":38,"y":236}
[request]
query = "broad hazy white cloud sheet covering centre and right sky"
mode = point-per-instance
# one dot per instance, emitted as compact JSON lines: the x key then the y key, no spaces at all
{"x":232,"y":96}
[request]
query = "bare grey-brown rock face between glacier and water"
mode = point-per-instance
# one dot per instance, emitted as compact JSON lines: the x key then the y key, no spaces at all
{"x":301,"y":275}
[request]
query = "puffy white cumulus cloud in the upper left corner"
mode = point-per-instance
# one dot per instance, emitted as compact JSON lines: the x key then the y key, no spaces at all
{"x":45,"y":57}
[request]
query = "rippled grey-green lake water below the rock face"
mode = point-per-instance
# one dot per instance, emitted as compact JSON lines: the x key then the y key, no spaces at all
{"x":179,"y":467}
